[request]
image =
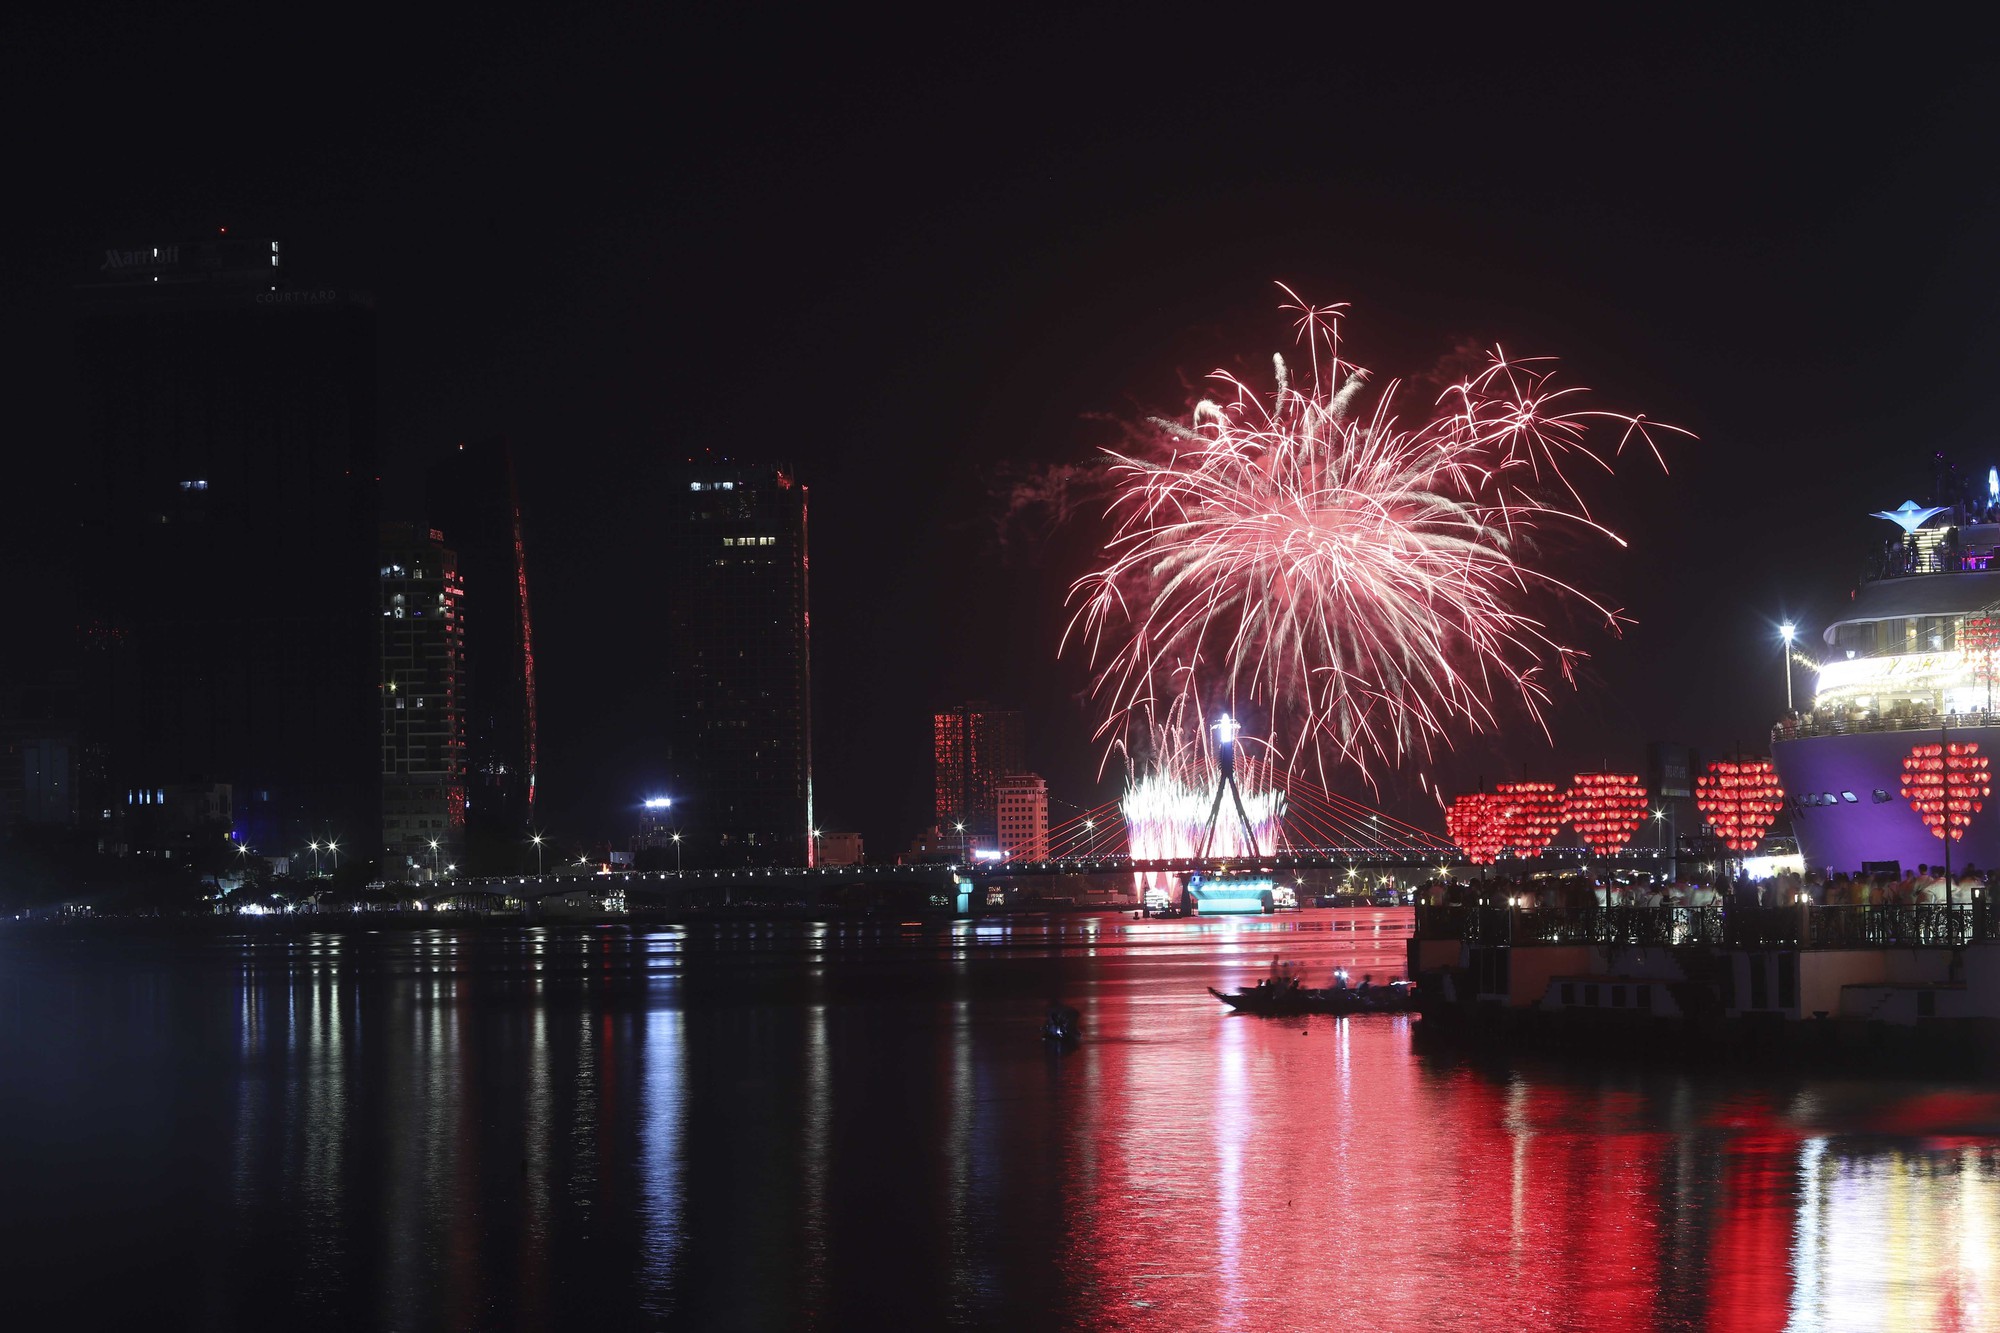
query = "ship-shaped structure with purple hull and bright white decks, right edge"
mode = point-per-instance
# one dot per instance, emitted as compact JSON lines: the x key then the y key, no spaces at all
{"x":1909,"y":661}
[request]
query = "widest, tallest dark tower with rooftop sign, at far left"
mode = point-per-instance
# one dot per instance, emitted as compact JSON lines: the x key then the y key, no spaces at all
{"x":227,"y":539}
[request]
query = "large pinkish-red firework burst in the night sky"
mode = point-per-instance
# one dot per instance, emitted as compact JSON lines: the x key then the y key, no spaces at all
{"x":1367,"y":585}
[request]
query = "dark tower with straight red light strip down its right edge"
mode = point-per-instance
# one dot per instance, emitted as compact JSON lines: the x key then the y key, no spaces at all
{"x":739,"y":704}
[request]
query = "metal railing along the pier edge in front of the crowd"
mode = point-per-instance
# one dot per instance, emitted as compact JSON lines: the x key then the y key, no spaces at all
{"x":1909,"y":926}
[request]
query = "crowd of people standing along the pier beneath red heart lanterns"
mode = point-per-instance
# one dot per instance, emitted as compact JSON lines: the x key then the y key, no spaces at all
{"x":1841,"y":890}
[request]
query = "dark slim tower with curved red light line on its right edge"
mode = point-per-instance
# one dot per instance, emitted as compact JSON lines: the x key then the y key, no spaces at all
{"x":473,"y":501}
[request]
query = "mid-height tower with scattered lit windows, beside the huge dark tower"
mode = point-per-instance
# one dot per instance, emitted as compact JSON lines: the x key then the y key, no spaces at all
{"x":423,"y":722}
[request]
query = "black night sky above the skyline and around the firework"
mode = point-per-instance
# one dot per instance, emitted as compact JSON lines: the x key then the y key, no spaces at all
{"x":905,"y":253}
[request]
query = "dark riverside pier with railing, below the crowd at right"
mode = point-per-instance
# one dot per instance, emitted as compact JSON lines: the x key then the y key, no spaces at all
{"x":1869,"y":988}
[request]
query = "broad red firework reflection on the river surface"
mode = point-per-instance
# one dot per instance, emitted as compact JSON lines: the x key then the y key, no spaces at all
{"x":1241,"y":1174}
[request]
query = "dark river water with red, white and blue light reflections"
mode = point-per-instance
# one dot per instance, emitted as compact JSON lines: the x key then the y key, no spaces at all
{"x":857,"y":1128}
